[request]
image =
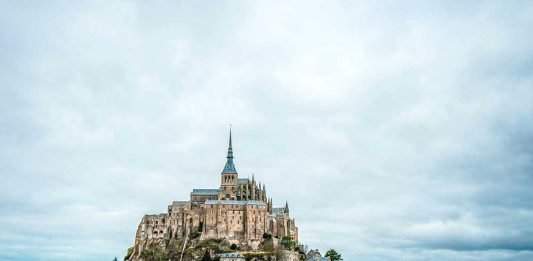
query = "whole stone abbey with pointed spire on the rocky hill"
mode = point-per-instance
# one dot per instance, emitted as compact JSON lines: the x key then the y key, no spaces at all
{"x":238,"y":211}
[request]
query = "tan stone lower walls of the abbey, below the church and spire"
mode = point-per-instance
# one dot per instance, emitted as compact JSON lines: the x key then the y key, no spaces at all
{"x":240,"y":222}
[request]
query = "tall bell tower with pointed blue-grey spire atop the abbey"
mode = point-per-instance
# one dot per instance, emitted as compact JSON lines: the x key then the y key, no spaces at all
{"x":228,"y":182}
